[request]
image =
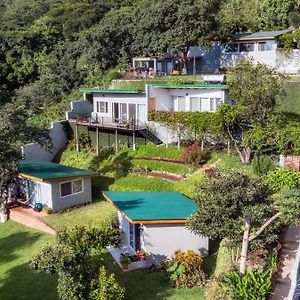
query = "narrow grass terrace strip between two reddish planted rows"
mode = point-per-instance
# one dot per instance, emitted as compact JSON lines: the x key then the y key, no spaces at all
{"x":152,"y":165}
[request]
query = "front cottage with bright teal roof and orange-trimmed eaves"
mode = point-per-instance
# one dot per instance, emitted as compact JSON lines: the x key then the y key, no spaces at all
{"x":155,"y":222}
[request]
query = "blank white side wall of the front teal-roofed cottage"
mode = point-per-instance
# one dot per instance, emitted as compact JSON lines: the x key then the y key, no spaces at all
{"x":165,"y":239}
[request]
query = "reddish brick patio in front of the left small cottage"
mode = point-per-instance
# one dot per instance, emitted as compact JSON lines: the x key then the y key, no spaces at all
{"x":28,"y":217}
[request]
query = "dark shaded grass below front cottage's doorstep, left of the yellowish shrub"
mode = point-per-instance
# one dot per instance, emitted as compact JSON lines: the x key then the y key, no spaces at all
{"x":140,"y":284}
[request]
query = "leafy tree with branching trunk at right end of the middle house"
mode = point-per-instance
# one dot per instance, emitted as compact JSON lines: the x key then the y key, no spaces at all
{"x":255,"y":90}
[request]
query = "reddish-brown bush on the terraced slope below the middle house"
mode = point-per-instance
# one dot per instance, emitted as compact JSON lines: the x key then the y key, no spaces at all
{"x":195,"y":156}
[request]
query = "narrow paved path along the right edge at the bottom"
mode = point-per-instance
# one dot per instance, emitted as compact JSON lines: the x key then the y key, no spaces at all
{"x":286,"y":265}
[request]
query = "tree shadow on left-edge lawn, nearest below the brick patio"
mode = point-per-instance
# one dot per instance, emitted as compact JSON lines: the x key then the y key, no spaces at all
{"x":14,"y":242}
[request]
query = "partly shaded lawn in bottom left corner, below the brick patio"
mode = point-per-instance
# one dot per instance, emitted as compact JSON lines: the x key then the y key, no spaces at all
{"x":17,"y":281}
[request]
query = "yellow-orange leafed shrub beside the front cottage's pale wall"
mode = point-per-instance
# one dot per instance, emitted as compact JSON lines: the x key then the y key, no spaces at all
{"x":186,"y":269}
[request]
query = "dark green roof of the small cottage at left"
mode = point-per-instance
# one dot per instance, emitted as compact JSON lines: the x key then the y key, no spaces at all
{"x":46,"y":171}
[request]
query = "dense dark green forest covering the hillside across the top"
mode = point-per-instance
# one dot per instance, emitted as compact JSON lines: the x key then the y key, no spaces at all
{"x":50,"y":47}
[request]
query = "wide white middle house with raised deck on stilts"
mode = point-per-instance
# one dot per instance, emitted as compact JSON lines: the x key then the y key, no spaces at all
{"x":123,"y":114}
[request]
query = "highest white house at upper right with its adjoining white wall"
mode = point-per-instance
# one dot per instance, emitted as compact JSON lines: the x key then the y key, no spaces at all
{"x":262,"y":47}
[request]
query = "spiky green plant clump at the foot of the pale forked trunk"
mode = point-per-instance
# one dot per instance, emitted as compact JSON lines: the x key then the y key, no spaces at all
{"x":254,"y":285}
